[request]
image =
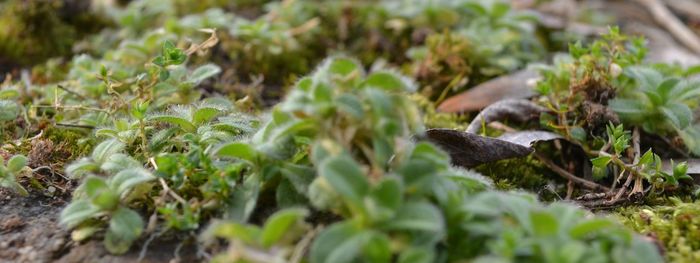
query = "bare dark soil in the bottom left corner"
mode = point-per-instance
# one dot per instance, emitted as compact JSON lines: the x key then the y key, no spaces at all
{"x":29,"y":232}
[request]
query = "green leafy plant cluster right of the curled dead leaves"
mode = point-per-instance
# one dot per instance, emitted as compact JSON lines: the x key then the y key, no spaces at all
{"x":596,"y":90}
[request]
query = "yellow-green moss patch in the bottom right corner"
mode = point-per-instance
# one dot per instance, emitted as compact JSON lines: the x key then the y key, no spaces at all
{"x":676,"y":226}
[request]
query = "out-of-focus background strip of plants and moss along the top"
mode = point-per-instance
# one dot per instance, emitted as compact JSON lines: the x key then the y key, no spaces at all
{"x":299,"y":33}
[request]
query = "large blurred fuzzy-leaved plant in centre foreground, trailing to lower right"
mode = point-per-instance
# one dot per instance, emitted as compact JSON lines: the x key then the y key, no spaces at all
{"x":395,"y":200}
